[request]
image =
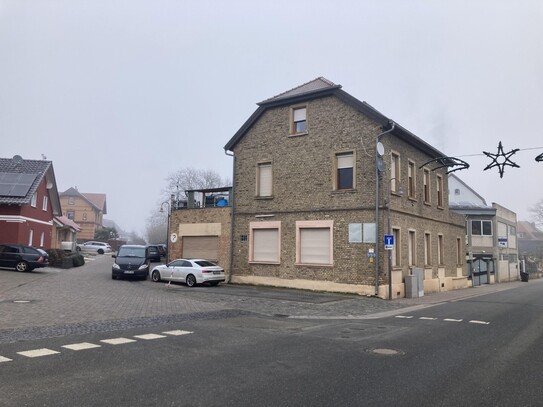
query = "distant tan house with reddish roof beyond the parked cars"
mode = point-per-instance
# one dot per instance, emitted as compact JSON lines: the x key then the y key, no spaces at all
{"x":86,"y":209}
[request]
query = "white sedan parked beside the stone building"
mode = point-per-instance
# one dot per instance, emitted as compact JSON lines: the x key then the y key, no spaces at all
{"x":190,"y":272}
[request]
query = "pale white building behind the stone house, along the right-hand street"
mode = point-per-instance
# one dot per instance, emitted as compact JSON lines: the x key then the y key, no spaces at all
{"x":491,"y":235}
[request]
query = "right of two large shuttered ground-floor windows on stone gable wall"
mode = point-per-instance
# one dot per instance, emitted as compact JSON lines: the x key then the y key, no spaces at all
{"x":314,"y":242}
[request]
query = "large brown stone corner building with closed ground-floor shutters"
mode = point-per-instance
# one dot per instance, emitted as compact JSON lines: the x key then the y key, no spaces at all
{"x":309,"y":184}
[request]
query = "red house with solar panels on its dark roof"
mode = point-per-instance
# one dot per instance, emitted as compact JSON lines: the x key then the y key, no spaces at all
{"x":29,"y":201}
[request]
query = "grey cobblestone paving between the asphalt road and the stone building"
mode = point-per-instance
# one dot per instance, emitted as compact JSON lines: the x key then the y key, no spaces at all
{"x":54,"y":302}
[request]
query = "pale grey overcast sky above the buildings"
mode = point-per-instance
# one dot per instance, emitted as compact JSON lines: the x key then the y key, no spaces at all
{"x":121,"y":93}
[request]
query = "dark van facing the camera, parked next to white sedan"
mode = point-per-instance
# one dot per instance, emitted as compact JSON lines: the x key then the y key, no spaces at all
{"x":131,"y":261}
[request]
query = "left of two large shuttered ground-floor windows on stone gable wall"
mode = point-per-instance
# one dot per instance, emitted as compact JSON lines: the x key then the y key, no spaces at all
{"x":265,"y":242}
